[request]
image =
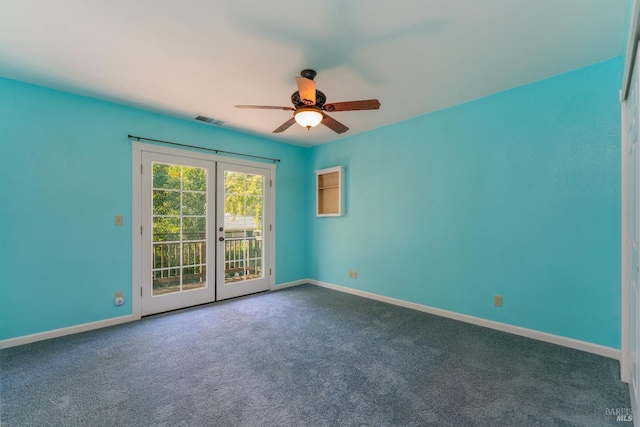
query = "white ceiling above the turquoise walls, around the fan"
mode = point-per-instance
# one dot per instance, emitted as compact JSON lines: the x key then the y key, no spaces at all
{"x":202,"y":57}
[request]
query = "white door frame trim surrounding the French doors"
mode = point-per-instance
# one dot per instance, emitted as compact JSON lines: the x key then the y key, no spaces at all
{"x":136,"y":214}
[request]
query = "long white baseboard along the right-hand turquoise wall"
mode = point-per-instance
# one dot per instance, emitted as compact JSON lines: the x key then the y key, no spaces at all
{"x":516,"y":330}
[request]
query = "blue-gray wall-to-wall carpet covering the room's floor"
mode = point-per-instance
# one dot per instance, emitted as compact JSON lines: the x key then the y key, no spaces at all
{"x":304,"y":356}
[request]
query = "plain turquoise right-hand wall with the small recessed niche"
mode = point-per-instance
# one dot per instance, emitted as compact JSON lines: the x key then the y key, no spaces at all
{"x":515,"y":194}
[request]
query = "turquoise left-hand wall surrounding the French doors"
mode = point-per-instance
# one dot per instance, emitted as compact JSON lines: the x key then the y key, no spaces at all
{"x":65,"y":171}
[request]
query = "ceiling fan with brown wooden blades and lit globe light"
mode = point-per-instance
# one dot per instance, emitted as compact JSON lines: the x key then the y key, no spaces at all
{"x":309,"y":106}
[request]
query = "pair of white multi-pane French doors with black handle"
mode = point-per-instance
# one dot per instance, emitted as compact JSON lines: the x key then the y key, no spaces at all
{"x":203,"y":236}
